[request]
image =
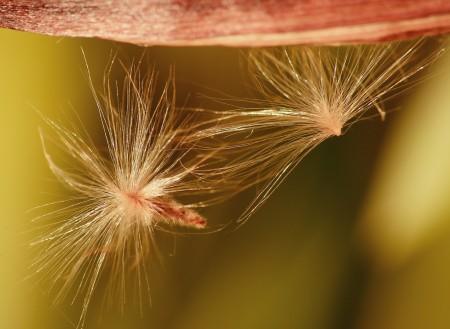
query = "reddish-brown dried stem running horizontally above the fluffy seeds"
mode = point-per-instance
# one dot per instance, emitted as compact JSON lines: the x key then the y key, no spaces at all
{"x":229,"y":22}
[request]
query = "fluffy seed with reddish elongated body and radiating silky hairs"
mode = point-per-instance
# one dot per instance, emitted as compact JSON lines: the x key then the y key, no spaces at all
{"x":120,"y":196}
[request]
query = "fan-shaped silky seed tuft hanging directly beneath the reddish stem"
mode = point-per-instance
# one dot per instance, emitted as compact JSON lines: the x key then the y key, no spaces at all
{"x":310,"y":94}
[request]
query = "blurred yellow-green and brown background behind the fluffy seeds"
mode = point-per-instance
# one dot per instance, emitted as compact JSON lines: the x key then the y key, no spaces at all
{"x":358,"y":236}
